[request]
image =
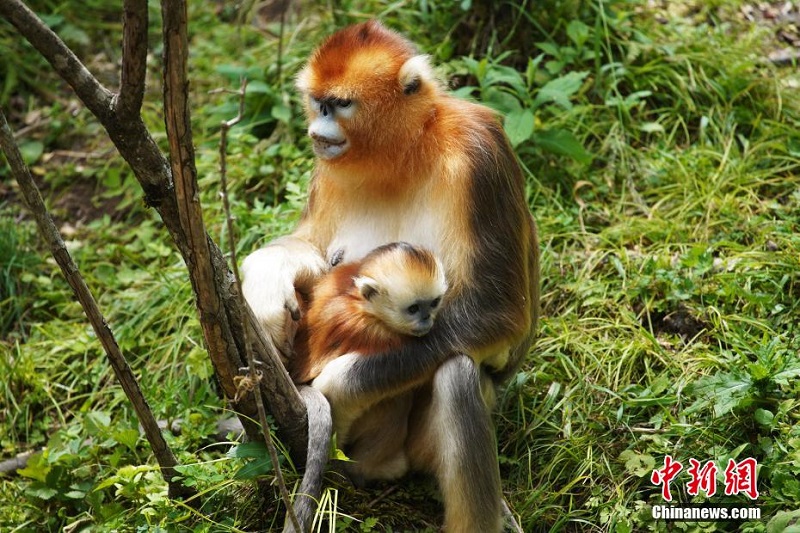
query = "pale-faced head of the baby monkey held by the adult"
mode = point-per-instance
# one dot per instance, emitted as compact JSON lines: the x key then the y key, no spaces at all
{"x":402,"y":286}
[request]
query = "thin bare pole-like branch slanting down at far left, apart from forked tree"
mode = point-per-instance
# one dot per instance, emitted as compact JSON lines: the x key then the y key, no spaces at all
{"x":166,"y":459}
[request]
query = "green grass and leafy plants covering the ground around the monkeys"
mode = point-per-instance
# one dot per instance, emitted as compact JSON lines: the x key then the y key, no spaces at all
{"x":661,"y":151}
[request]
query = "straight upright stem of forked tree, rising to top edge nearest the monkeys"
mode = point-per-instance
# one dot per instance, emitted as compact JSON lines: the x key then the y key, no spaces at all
{"x":204,"y":259}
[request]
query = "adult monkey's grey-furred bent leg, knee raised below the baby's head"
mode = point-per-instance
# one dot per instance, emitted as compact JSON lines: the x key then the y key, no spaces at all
{"x":455,"y":440}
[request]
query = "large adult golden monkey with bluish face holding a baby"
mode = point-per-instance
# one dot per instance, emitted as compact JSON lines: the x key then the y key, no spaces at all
{"x":398,"y":159}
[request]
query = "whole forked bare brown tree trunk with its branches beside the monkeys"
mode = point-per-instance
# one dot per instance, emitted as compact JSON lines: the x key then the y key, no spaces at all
{"x":221,"y":314}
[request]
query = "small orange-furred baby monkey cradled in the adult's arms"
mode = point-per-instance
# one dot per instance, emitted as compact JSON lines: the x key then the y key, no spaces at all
{"x":369,"y":306}
